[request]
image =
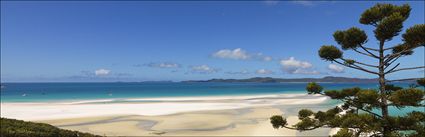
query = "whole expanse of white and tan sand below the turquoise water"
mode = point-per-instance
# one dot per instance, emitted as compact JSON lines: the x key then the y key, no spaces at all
{"x":222,"y":115}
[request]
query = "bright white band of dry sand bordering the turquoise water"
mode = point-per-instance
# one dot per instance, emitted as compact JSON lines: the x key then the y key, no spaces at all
{"x":148,"y":106}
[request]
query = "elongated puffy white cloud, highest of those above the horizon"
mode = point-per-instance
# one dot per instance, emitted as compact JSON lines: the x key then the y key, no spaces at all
{"x":240,"y":54}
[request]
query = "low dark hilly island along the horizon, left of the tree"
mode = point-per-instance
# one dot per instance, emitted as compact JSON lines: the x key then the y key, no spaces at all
{"x":282,"y":80}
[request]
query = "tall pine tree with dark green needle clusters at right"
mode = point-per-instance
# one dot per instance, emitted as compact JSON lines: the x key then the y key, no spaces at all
{"x":360,"y":117}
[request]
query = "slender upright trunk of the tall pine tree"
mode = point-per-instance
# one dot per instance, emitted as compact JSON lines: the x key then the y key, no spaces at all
{"x":384,"y":105}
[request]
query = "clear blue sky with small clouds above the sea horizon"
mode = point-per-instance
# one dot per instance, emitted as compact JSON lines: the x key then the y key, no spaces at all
{"x":140,"y":41}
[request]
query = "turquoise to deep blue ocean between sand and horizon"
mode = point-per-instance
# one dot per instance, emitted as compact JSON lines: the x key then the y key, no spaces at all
{"x":51,"y":92}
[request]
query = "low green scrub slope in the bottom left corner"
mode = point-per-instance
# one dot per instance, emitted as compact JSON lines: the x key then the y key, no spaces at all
{"x":19,"y":128}
